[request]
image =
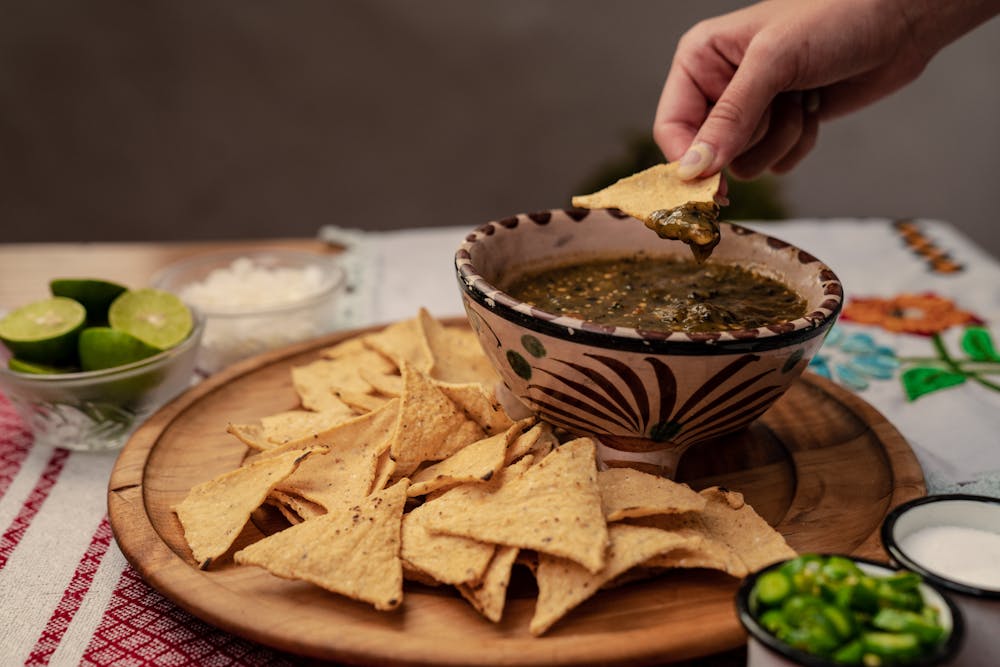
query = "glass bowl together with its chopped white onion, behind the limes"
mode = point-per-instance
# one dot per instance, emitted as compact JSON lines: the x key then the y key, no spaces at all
{"x":252,"y":321}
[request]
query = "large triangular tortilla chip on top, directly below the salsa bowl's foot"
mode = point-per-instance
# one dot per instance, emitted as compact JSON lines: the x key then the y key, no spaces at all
{"x":553,"y":507}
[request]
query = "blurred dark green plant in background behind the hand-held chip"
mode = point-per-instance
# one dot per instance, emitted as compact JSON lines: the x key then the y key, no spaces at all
{"x":759,"y":199}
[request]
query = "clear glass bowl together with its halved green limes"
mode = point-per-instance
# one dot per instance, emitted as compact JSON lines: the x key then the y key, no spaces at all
{"x":85,"y":367}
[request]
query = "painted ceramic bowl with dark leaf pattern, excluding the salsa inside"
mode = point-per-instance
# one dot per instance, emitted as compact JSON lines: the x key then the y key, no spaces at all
{"x":645,"y":395}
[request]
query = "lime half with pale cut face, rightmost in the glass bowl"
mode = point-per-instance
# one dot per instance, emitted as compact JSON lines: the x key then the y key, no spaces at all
{"x":155,"y":317}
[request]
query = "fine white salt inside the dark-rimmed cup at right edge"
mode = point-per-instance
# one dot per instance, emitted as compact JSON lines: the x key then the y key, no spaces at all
{"x":965,"y":555}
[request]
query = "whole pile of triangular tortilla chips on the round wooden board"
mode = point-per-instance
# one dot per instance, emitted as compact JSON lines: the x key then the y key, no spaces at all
{"x":401,"y":465}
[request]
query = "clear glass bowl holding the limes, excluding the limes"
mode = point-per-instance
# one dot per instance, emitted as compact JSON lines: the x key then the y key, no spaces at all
{"x":98,"y":410}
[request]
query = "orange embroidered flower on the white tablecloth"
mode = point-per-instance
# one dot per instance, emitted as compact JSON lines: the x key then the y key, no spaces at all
{"x":923,"y":314}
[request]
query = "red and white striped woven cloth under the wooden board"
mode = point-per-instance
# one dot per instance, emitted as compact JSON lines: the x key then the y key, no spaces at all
{"x":69,"y":596}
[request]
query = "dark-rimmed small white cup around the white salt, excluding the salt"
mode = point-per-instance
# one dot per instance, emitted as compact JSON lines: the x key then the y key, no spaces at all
{"x":980,"y":605}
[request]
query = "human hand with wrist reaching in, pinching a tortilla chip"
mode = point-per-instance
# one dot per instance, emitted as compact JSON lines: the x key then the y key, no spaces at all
{"x":748,"y":89}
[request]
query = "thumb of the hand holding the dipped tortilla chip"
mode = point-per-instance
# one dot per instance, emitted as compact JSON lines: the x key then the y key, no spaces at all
{"x":735,"y":116}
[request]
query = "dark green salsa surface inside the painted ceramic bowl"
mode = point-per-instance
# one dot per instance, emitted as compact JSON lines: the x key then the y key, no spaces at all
{"x":659,"y":294}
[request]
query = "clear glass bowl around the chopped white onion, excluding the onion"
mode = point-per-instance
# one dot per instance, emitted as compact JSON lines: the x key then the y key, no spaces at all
{"x":237,"y":330}
